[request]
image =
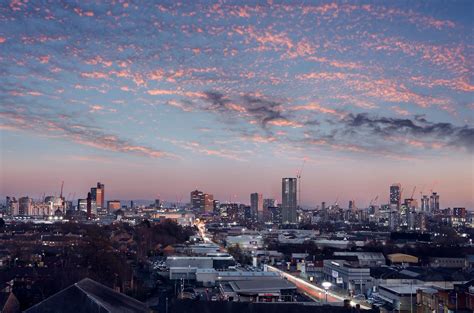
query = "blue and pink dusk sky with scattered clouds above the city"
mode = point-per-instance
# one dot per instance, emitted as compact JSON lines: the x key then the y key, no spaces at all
{"x":155,"y":99}
